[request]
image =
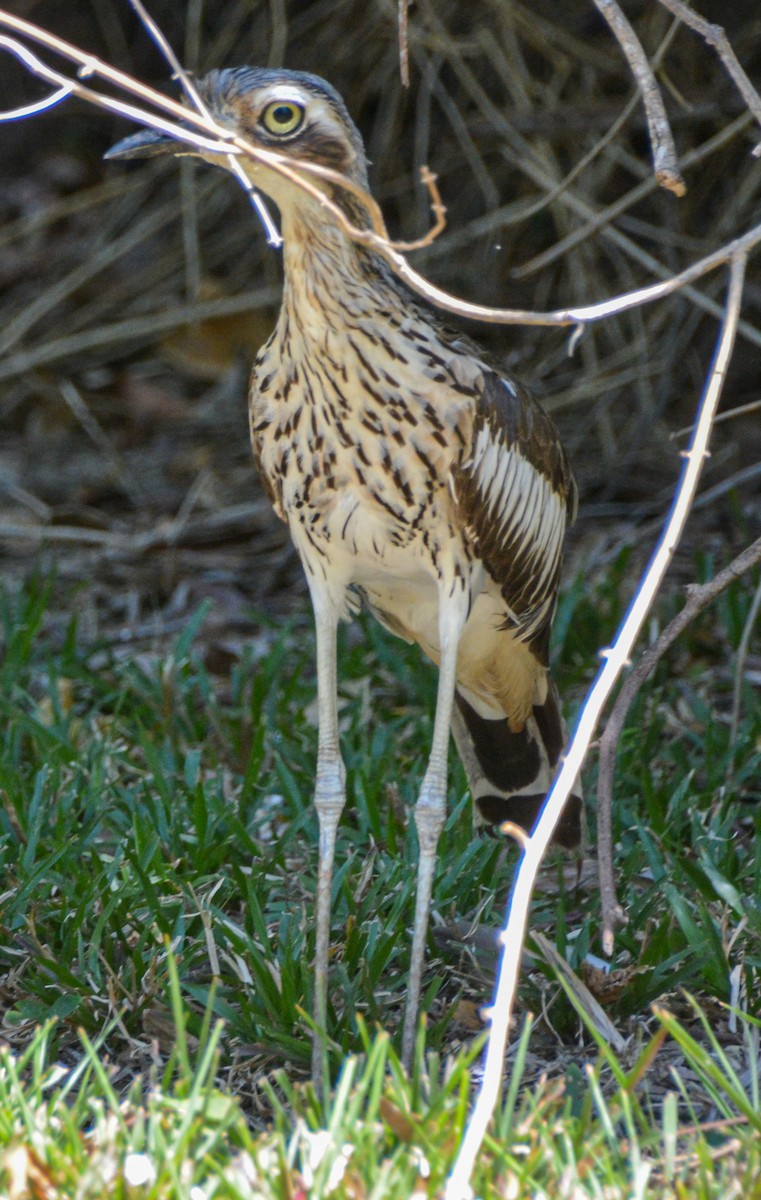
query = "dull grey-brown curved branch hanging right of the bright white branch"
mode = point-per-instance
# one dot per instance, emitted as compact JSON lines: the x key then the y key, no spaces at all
{"x":699,"y":598}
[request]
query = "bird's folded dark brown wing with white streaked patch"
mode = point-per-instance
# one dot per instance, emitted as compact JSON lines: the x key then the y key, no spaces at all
{"x":516,"y":496}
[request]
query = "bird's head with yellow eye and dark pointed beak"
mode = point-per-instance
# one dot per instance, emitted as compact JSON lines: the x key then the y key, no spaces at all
{"x":296,"y":115}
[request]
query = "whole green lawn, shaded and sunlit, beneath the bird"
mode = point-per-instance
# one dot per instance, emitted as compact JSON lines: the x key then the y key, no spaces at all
{"x":158,"y":865}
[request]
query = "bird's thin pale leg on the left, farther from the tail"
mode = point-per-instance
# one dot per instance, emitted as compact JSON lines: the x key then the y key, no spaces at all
{"x":329,"y":801}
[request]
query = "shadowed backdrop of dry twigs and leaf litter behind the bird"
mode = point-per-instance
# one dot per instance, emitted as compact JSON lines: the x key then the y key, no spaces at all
{"x":134,"y":298}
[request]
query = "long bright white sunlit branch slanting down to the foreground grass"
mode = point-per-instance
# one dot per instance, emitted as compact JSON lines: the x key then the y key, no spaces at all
{"x":616,"y":659}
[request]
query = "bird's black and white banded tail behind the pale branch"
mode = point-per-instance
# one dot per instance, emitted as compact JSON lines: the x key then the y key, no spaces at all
{"x":511,"y":775}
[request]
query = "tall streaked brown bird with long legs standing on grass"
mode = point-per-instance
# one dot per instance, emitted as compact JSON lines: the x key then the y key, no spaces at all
{"x":417,"y":478}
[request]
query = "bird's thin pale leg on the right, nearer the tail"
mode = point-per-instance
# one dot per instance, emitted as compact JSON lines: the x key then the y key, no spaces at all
{"x":432,"y":807}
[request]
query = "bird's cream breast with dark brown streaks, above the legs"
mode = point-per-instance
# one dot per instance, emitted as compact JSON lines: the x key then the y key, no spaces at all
{"x":357,"y":448}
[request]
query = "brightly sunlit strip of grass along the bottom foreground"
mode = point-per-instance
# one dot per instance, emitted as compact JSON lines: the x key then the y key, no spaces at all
{"x":69,"y":1132}
